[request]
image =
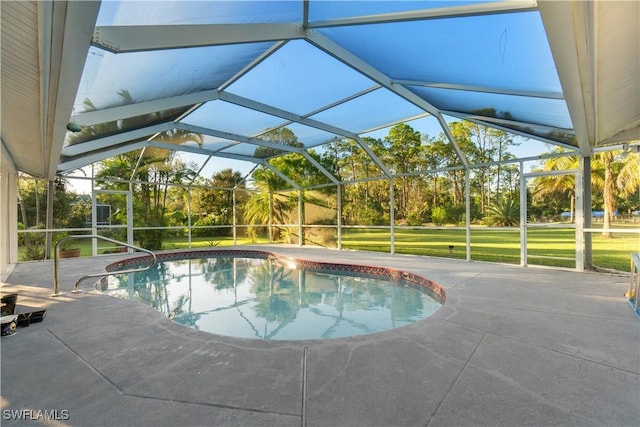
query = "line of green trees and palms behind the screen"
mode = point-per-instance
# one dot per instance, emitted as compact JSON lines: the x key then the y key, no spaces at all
{"x":423,"y":173}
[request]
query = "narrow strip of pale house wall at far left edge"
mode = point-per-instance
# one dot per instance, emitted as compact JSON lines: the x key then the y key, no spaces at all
{"x":8,"y":214}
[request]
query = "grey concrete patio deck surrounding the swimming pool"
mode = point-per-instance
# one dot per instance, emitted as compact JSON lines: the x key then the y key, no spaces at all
{"x":511,"y":346}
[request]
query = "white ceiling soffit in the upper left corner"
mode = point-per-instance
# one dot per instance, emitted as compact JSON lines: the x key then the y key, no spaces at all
{"x":42,"y":61}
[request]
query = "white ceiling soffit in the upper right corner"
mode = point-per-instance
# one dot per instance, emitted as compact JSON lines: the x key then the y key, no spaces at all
{"x":595,"y":47}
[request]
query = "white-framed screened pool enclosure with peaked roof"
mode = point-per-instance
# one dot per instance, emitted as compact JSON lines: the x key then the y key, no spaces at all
{"x":459,"y":129}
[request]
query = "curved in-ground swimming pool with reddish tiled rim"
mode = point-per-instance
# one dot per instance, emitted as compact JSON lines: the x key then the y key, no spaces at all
{"x":254,"y":294}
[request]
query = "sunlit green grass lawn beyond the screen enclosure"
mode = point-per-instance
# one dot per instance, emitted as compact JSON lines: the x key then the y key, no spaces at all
{"x":549,"y":247}
